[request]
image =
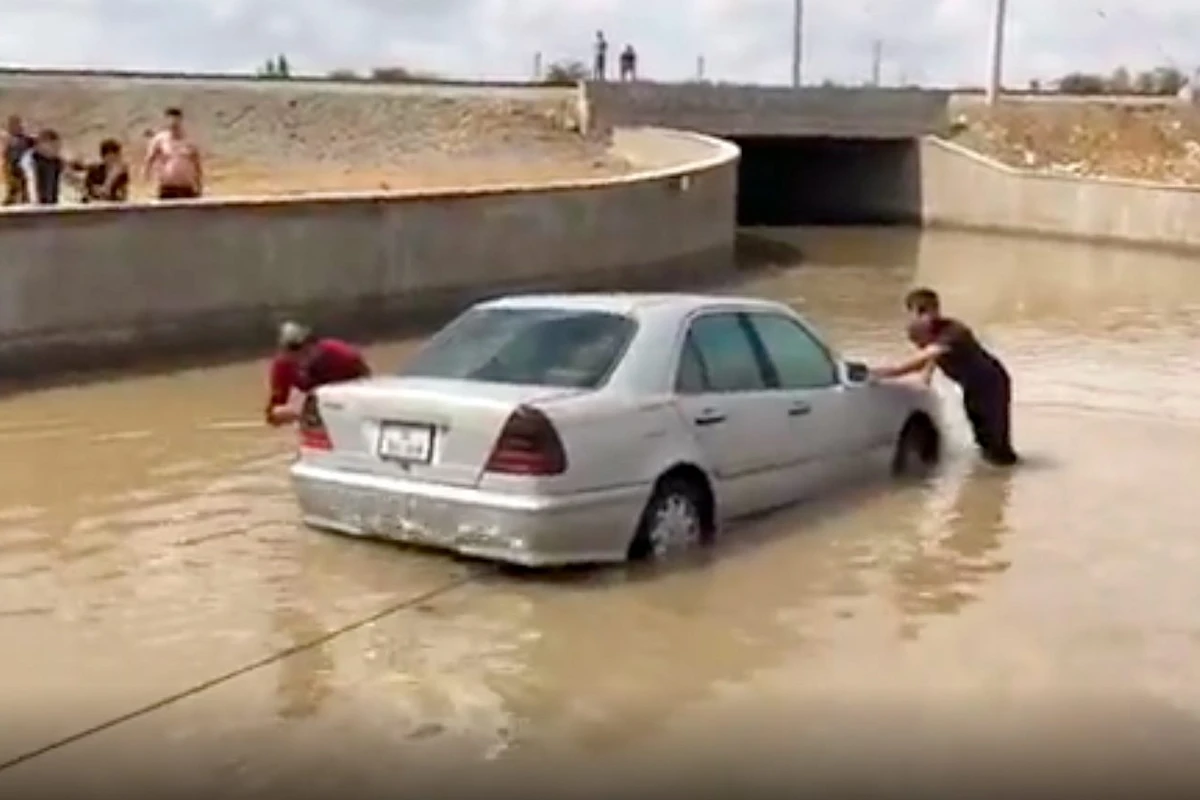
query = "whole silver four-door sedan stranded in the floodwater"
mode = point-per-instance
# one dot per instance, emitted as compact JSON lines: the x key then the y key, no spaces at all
{"x":553,"y":430}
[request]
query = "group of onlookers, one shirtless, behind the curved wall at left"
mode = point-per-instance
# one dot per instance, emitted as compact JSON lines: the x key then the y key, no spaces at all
{"x":37,"y":167}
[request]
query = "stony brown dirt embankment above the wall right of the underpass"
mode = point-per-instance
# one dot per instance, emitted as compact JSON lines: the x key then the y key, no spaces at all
{"x":1156,"y":142}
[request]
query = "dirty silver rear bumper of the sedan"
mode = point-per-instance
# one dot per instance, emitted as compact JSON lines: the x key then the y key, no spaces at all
{"x":533,"y":532}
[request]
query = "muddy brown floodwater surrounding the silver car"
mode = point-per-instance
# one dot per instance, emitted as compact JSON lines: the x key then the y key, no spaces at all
{"x":167,"y":622}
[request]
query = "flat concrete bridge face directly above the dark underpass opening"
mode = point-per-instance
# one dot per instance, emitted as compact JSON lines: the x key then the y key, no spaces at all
{"x":734,"y":111}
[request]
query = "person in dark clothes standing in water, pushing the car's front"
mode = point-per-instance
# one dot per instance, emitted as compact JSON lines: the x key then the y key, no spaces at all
{"x":952,"y":347}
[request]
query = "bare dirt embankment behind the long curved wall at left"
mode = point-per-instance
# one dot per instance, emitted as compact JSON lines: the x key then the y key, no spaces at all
{"x":287,"y":139}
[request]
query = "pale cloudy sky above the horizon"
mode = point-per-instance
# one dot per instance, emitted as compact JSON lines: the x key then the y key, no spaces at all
{"x":943,"y":43}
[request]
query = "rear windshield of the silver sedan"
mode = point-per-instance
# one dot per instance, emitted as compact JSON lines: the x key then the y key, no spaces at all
{"x":538,"y":347}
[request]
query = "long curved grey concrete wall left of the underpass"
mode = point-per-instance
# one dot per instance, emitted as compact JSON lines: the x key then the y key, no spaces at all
{"x":91,"y":287}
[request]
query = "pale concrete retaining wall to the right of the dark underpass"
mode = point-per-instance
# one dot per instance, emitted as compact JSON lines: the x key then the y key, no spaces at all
{"x":964,"y":190}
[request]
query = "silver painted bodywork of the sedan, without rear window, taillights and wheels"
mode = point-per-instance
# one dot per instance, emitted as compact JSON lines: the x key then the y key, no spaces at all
{"x":760,"y":447}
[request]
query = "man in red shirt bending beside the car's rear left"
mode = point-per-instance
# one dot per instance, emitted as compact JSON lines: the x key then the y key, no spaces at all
{"x":305,"y":363}
